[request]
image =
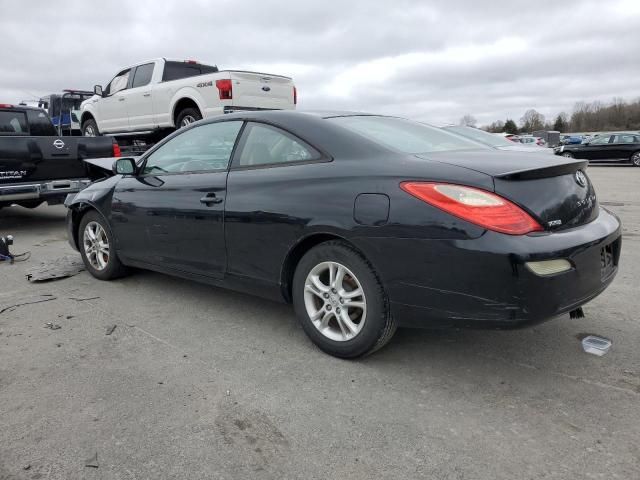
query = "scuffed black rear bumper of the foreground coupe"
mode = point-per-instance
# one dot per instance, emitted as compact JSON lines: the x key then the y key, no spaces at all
{"x":484,"y":282}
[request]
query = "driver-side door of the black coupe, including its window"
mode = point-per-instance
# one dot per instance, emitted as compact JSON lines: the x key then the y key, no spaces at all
{"x":171,"y":214}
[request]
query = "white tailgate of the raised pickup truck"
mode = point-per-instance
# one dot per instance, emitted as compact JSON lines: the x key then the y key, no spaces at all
{"x":261,"y":90}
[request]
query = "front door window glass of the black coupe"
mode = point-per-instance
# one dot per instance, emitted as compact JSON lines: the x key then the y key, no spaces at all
{"x":200,"y":149}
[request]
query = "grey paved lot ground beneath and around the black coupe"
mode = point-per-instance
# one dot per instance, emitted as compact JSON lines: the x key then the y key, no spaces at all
{"x":197,"y":382}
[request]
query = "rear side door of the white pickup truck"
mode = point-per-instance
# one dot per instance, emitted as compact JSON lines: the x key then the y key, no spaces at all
{"x":139,"y":98}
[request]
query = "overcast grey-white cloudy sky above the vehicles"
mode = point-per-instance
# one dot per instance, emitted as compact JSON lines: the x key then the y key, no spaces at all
{"x":429,"y":60}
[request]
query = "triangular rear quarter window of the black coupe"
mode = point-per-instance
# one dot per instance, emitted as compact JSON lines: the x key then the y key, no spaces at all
{"x":266,"y":145}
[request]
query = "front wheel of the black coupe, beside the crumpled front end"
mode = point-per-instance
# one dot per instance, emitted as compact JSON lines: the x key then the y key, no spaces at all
{"x":94,"y":235}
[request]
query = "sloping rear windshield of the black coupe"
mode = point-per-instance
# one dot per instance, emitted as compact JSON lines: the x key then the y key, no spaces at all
{"x":405,"y":135}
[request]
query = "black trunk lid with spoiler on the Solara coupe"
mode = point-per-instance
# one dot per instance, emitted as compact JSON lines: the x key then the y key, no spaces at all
{"x":555,"y":191}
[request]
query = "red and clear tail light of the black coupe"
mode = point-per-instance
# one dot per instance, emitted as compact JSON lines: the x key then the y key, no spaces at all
{"x":474,"y":205}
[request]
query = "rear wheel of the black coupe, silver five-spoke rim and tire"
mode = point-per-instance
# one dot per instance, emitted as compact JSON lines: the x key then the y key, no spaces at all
{"x":322,"y":306}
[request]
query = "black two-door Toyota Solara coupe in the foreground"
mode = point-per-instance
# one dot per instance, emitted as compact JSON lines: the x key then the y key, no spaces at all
{"x":363,"y":222}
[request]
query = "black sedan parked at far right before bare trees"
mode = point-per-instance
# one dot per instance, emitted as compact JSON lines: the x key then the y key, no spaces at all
{"x":607,"y":147}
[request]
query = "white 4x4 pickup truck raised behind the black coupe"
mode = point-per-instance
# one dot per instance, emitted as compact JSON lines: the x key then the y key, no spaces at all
{"x":166,"y":94}
